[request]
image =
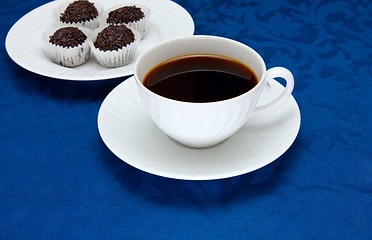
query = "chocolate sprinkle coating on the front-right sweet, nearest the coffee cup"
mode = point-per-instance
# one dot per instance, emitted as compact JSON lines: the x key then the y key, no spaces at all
{"x":114,"y":37}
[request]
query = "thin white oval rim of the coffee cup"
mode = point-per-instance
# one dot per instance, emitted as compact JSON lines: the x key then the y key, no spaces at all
{"x":161,"y":44}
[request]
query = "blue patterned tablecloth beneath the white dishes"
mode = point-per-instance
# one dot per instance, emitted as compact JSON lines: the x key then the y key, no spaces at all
{"x":59,"y":181}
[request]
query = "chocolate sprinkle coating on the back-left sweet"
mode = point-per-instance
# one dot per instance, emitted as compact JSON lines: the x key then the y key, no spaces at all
{"x":79,"y":11}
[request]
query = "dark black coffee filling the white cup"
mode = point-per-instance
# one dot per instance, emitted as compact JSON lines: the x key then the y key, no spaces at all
{"x":200,"y":78}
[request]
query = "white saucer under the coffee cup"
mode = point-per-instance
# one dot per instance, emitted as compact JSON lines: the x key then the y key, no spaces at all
{"x":130,"y":134}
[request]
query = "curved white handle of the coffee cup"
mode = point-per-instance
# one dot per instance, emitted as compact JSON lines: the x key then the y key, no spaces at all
{"x":270,"y":75}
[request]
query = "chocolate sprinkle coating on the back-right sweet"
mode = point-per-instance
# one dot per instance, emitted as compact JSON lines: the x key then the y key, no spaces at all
{"x":125,"y":15}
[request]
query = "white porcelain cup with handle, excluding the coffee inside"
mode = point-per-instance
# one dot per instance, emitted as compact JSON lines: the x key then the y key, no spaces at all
{"x":206,"y":124}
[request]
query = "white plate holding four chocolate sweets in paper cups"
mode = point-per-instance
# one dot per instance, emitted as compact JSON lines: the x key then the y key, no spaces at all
{"x":23,"y":42}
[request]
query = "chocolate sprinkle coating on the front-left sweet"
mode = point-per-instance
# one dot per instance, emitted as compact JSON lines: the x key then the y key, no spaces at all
{"x":68,"y":37}
